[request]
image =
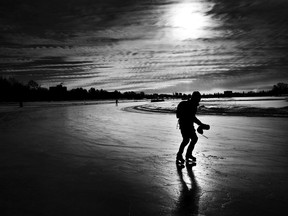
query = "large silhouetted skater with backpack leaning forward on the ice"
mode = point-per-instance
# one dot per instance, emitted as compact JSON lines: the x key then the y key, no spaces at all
{"x":186,"y":113}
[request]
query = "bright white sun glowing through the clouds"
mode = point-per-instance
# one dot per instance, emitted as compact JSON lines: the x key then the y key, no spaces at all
{"x":188,"y":21}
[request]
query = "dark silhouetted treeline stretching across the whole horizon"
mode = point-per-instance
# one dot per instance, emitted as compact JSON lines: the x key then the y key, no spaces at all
{"x":12,"y":90}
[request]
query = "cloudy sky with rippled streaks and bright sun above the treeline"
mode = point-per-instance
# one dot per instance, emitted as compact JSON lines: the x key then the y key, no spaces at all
{"x":155,"y":46}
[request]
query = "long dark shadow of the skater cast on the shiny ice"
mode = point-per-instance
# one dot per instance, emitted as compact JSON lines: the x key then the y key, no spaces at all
{"x":188,"y":202}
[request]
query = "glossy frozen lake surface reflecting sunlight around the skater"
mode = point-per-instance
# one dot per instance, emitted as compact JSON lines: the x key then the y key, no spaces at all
{"x":102,"y":160}
